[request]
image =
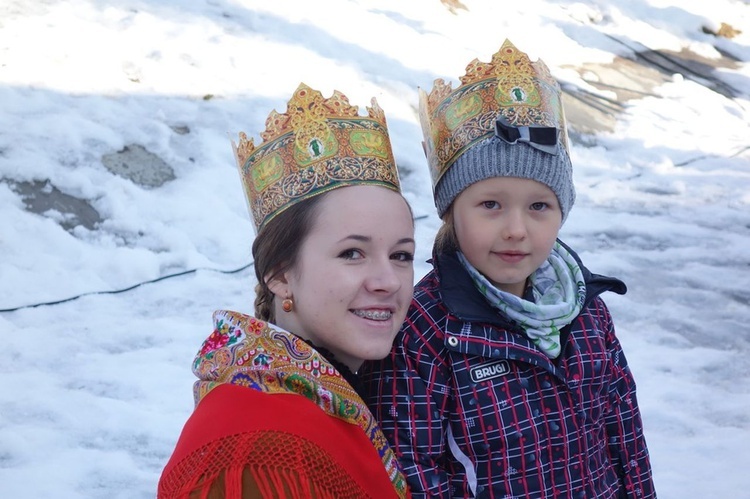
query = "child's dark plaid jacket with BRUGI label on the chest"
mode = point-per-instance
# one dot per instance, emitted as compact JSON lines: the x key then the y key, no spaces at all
{"x":474,"y":409}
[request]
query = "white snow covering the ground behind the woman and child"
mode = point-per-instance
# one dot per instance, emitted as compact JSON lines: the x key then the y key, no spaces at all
{"x":96,"y":389}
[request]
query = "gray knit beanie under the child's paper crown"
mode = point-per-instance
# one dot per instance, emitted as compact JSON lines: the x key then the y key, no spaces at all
{"x":494,"y":157}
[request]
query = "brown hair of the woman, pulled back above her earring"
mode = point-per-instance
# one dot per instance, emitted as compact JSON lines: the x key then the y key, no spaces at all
{"x":276,"y":248}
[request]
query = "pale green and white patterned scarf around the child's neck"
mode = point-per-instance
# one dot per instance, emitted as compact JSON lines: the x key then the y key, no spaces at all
{"x":558,"y":290}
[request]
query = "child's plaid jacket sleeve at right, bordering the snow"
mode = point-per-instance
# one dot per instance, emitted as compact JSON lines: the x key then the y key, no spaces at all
{"x":627,"y":443}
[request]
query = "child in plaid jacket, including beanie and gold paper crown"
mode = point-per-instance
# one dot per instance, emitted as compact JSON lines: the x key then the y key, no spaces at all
{"x":507,"y":378}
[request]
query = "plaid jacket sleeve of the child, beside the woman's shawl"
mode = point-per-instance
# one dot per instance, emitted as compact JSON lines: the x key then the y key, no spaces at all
{"x":409,"y":393}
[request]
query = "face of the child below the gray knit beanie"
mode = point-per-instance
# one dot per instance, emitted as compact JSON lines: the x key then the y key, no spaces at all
{"x":506,"y":228}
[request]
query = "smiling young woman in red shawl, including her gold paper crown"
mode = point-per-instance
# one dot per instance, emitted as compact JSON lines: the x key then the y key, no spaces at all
{"x":277,"y":412}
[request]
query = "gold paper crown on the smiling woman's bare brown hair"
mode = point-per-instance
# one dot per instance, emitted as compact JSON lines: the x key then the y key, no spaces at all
{"x":316,"y":146}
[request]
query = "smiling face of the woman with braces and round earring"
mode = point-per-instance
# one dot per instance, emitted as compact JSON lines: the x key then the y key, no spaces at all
{"x":353,"y":280}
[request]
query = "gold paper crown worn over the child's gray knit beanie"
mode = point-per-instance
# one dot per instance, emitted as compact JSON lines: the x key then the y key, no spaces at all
{"x":512,"y":87}
